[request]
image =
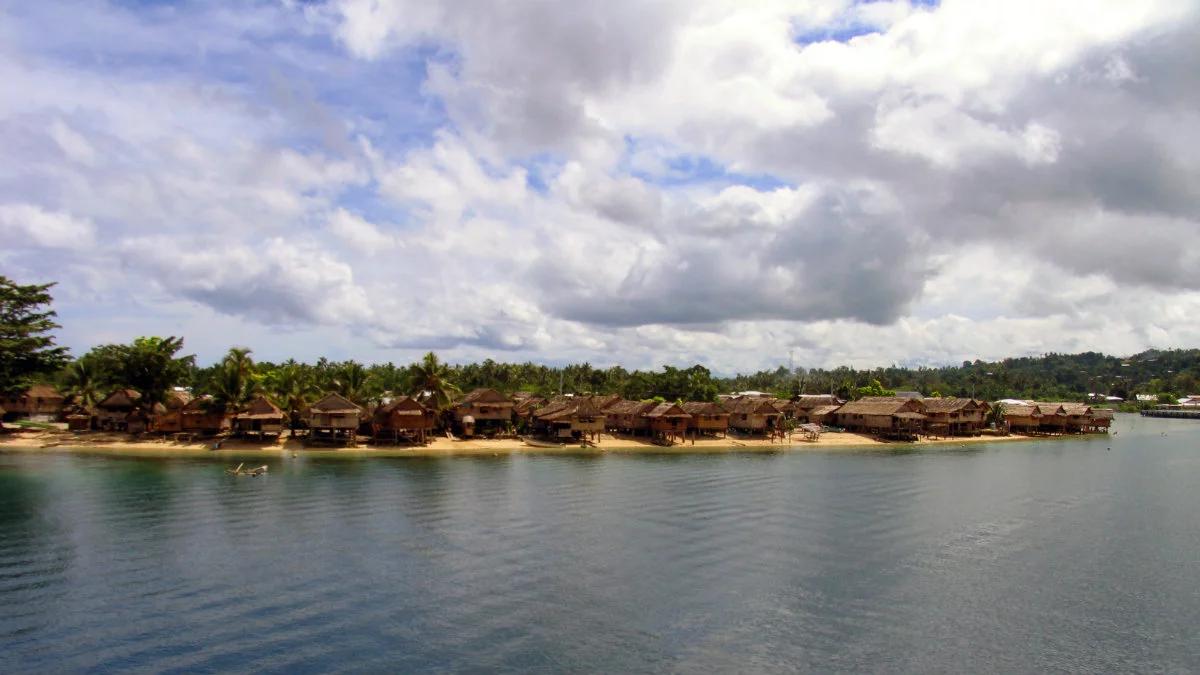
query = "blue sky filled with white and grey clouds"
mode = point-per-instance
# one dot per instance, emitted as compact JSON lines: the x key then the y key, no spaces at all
{"x":735,"y":184}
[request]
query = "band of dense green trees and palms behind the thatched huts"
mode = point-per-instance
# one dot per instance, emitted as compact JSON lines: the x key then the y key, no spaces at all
{"x":153,"y":366}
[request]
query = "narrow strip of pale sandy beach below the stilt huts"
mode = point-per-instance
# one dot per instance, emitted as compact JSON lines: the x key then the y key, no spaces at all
{"x":121,"y":445}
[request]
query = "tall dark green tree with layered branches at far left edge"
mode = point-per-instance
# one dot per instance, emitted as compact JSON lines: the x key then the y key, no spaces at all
{"x":27,"y":349}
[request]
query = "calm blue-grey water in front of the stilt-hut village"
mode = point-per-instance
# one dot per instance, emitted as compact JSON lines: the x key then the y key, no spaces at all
{"x":1058,"y":555}
